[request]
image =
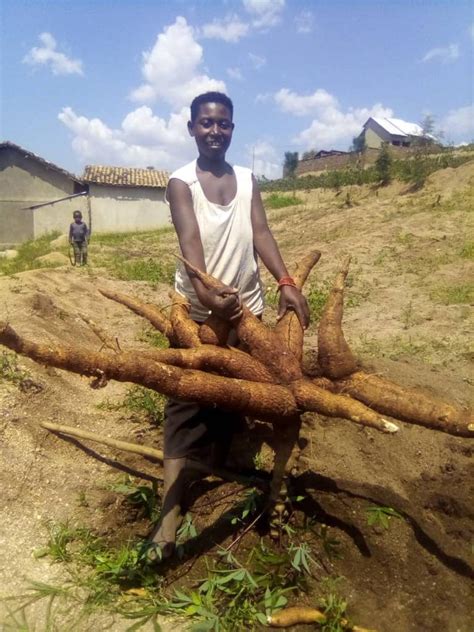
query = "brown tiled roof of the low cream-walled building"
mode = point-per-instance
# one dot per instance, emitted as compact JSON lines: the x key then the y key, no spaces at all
{"x":125,"y":176}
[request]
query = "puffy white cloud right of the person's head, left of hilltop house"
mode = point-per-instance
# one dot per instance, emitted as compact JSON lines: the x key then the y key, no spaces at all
{"x":331,"y":126}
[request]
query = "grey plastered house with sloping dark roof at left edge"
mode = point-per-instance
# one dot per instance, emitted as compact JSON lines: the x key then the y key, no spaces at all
{"x":36,"y":196}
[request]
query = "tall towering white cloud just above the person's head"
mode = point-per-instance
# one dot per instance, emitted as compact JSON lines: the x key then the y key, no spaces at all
{"x":171,"y":68}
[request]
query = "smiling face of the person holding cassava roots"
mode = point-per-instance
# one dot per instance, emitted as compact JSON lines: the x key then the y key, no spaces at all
{"x":212,"y":130}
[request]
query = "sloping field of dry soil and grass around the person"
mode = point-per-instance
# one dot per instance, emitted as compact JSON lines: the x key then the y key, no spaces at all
{"x":383,"y":523}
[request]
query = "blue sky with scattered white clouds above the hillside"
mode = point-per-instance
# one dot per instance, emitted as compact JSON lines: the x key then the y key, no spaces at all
{"x":110,"y":81}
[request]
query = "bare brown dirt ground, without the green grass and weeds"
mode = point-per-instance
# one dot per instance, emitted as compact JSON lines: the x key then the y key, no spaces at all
{"x":407,"y":252}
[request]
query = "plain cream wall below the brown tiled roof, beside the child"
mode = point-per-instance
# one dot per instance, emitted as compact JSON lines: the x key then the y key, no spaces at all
{"x":123,"y":209}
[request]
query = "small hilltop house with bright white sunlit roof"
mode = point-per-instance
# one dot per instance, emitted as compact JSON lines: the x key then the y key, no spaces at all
{"x":379,"y":130}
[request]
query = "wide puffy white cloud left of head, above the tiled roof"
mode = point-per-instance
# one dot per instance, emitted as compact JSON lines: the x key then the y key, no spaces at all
{"x":143,"y":139}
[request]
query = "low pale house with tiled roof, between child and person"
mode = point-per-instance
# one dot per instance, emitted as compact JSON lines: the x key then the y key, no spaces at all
{"x":126,"y":199}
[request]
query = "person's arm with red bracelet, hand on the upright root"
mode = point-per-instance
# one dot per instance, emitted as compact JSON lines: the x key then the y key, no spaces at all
{"x":267,"y":249}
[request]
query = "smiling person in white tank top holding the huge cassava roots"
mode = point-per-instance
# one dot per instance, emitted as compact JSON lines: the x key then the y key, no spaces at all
{"x":221,"y":225}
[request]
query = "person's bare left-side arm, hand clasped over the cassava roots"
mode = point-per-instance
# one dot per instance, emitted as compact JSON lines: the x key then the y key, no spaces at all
{"x":225,"y":303}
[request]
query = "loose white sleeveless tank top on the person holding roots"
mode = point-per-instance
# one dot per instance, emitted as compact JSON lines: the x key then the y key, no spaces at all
{"x":227,"y":240}
